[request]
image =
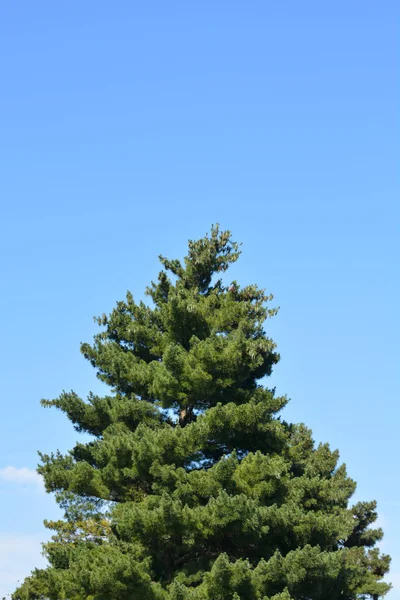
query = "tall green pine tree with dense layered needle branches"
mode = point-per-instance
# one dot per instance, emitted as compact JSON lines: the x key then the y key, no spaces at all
{"x":192,"y":486}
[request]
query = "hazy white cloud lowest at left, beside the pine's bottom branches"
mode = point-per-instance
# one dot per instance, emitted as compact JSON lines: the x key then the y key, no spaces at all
{"x":19,"y":554}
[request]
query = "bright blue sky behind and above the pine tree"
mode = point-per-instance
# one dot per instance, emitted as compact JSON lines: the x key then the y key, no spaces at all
{"x":129,"y":127}
